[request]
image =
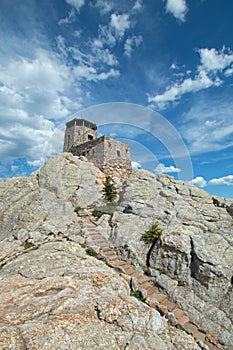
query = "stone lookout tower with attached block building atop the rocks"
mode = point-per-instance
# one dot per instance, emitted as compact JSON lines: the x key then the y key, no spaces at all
{"x":112,"y":157}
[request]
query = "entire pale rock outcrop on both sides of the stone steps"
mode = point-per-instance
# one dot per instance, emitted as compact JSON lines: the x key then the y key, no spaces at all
{"x":54,"y":296}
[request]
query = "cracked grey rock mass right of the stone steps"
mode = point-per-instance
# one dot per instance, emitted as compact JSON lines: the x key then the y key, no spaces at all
{"x":192,"y":261}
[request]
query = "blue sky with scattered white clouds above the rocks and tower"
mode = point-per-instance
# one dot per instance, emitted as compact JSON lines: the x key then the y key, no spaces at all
{"x":174,"y":57}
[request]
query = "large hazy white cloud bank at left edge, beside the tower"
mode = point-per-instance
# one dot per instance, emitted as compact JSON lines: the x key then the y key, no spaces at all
{"x":32,"y":92}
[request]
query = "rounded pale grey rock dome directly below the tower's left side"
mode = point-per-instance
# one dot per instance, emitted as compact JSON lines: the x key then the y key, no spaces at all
{"x":45,"y":201}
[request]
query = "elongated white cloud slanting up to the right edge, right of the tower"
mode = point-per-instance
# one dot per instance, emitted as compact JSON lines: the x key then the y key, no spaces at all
{"x":212,"y":63}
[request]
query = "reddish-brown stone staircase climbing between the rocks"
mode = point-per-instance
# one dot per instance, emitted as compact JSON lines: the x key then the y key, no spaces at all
{"x":142,"y":283}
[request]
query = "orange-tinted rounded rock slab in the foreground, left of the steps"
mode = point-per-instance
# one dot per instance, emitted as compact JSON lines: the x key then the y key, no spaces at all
{"x":57,"y":297}
